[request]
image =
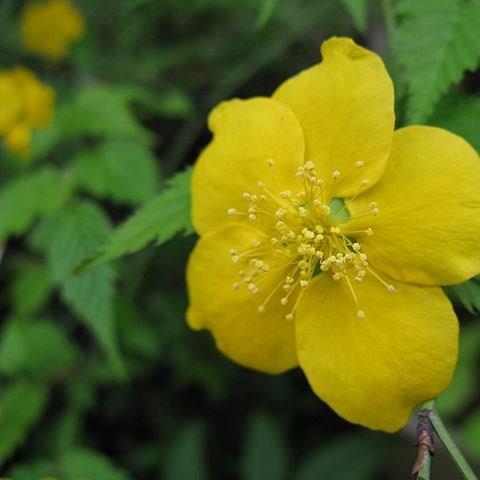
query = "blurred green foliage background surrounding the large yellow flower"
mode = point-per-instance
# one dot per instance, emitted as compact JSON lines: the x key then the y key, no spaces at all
{"x":103,"y":109}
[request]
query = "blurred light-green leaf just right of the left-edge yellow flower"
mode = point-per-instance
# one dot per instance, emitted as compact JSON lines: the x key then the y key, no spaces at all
{"x":102,"y":112}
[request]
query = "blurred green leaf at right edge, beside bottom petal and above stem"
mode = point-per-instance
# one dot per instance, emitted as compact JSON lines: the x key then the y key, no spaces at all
{"x":462,"y":389}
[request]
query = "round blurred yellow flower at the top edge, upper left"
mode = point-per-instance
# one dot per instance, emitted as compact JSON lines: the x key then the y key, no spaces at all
{"x":49,"y":27}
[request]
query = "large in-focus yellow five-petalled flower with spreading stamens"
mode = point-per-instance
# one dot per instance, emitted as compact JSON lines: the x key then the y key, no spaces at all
{"x":288,"y":274}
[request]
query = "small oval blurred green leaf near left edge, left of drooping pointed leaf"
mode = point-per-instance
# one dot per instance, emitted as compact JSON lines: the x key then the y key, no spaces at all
{"x":31,"y":287}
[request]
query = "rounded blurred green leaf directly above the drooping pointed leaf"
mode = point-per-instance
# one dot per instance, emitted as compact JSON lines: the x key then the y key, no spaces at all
{"x":121,"y":170}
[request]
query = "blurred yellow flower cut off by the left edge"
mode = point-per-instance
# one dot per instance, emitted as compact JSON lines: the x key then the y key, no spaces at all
{"x":25,"y":104}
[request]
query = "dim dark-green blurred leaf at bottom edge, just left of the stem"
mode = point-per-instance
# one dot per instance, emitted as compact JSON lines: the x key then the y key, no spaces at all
{"x":349,"y":457}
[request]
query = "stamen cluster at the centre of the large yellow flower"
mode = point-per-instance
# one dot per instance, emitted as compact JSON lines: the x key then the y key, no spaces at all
{"x":306,"y":238}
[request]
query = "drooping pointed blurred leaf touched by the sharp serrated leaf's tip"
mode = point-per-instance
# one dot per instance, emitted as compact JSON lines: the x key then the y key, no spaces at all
{"x":70,"y":236}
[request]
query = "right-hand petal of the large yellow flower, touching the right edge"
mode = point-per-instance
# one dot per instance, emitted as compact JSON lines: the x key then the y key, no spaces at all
{"x":428,"y":225}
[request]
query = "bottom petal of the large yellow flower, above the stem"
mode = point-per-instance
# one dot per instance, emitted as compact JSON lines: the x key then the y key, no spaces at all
{"x":374,"y":370}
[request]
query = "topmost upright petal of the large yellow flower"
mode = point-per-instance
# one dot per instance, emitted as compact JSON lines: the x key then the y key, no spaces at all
{"x":345,"y":107}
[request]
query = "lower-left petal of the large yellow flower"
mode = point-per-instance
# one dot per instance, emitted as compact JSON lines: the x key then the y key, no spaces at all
{"x":263,"y":341}
